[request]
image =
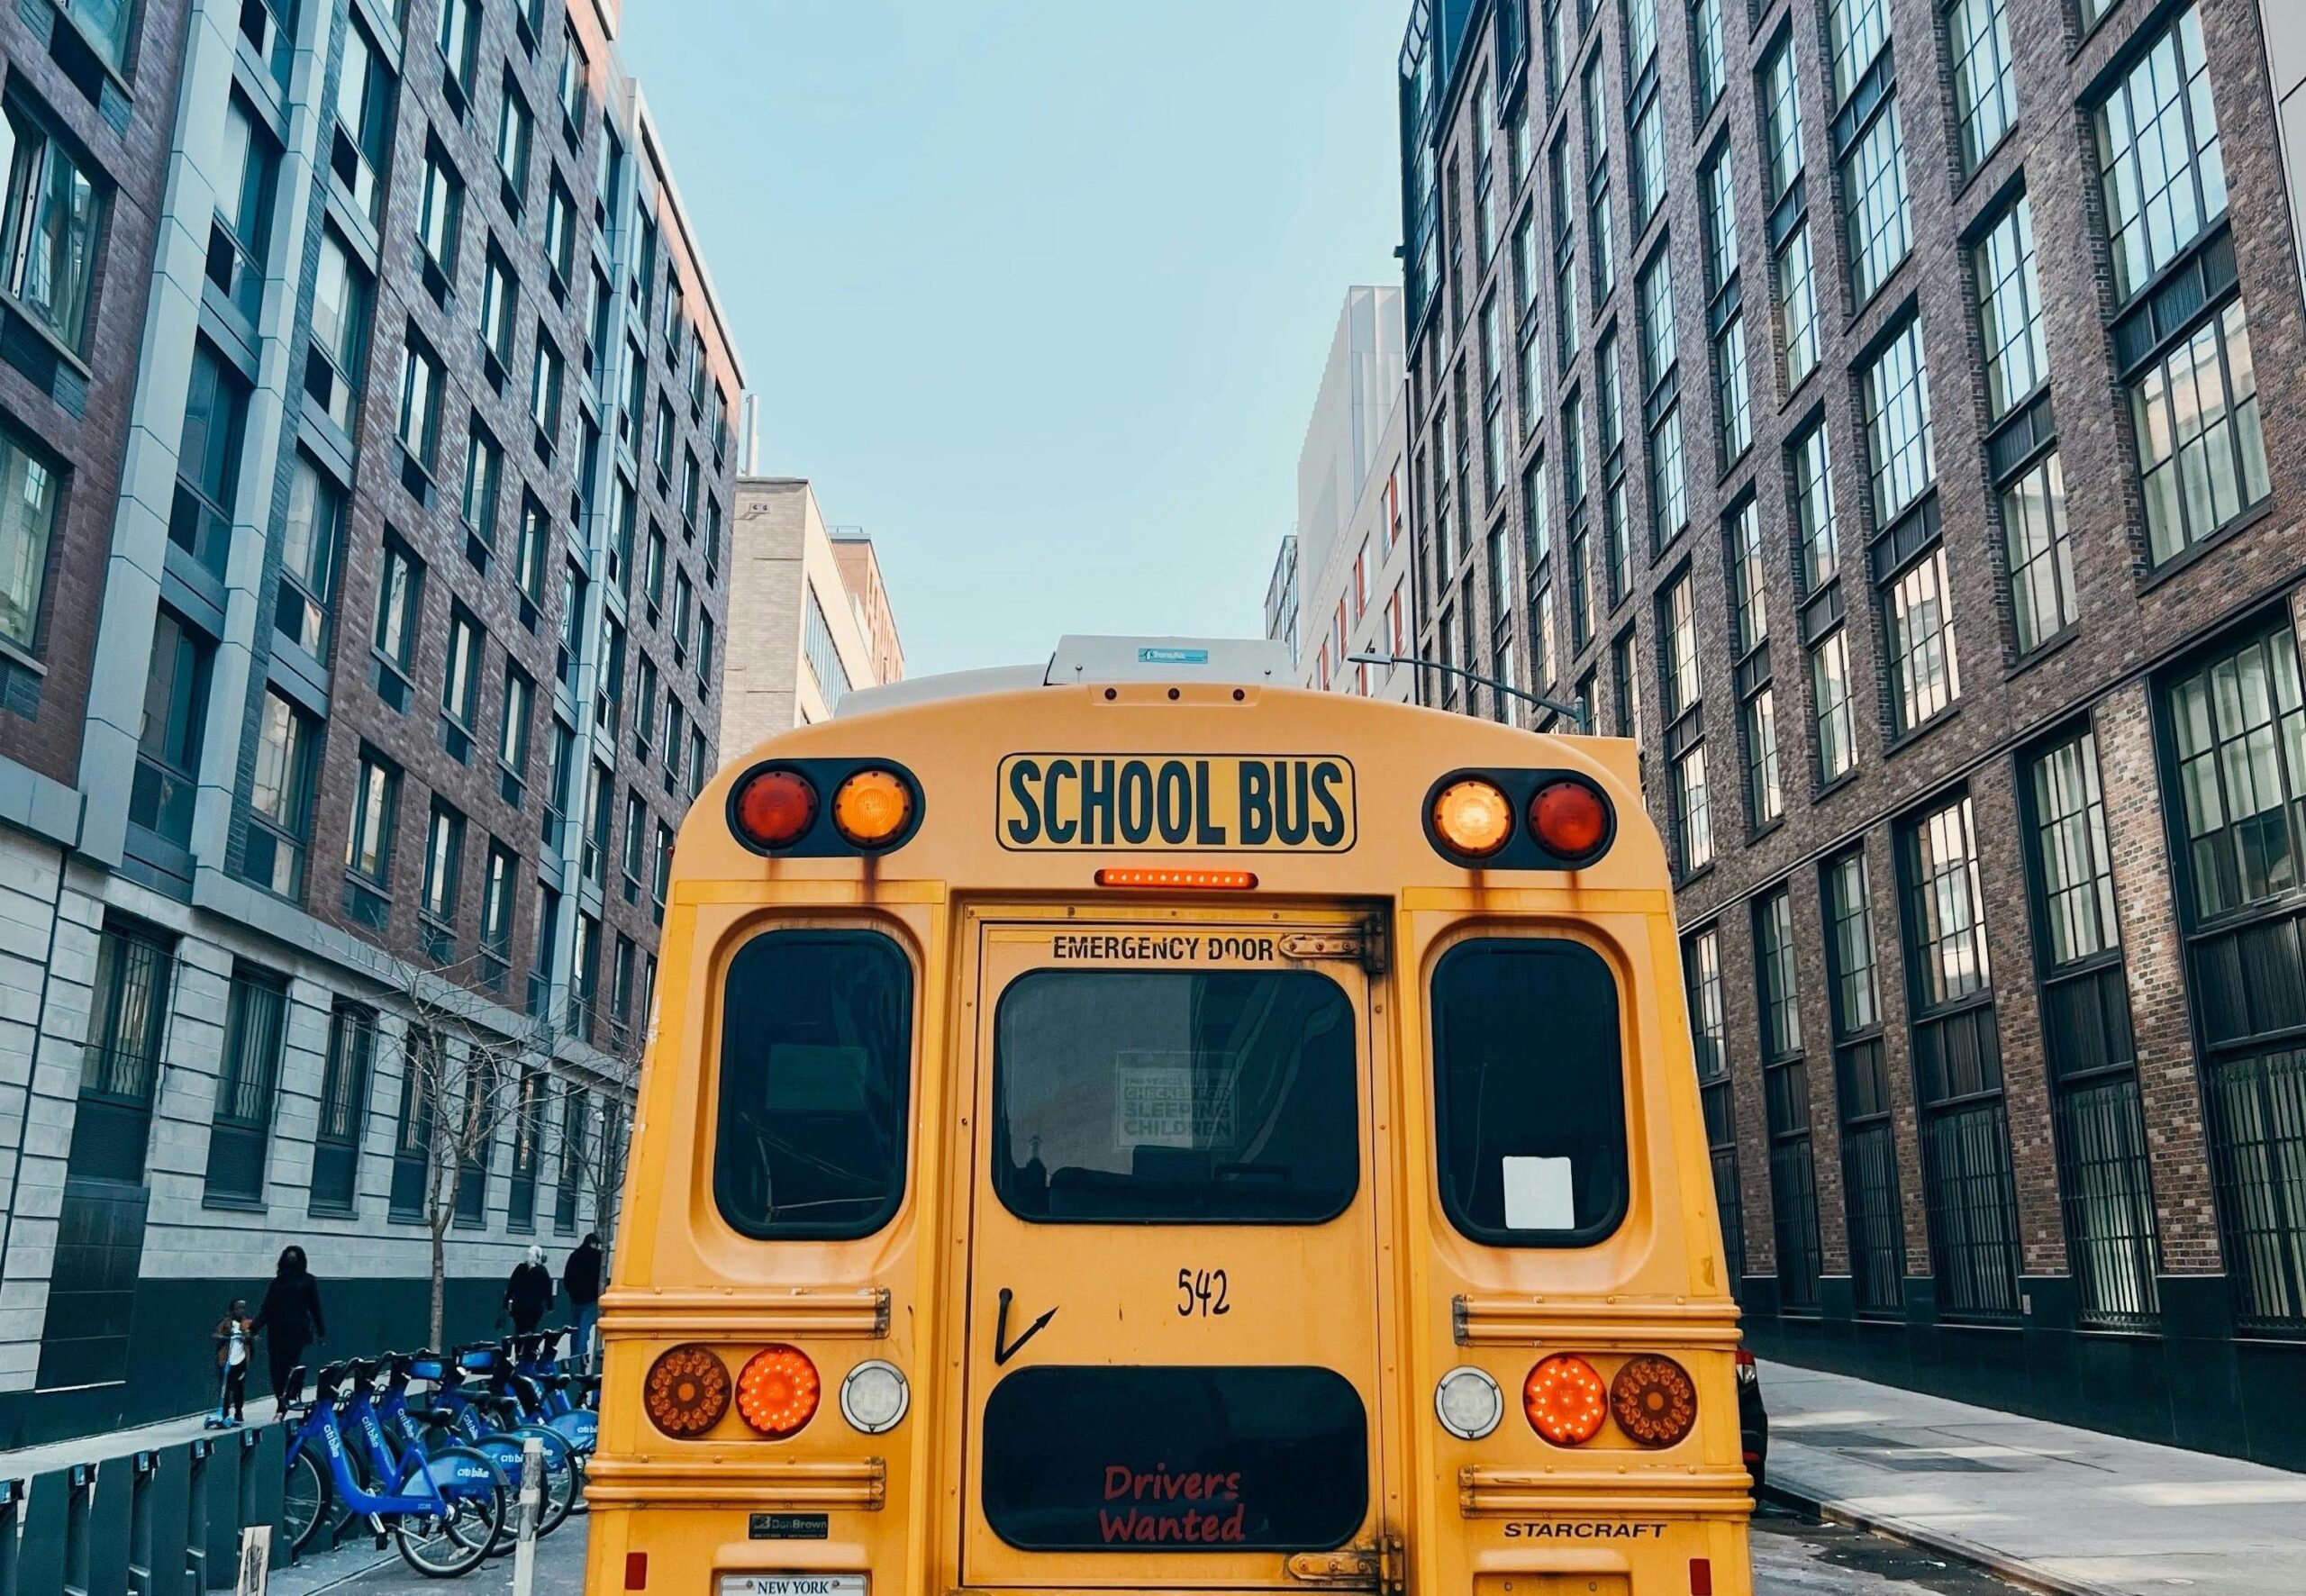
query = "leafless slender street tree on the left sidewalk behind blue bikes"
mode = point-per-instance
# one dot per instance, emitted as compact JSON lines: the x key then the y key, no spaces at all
{"x":460,"y":1081}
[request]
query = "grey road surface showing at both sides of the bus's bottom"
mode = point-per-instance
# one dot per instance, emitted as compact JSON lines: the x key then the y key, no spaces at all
{"x":1791,"y":1558}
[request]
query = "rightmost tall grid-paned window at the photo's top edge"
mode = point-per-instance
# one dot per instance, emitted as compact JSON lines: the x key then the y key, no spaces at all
{"x":2160,"y":156}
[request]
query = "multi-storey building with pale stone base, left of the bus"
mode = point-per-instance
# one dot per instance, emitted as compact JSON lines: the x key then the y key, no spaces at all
{"x":361,"y":647}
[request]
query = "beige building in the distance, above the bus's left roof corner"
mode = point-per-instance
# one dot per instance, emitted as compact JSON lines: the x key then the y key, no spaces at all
{"x":808,"y":615}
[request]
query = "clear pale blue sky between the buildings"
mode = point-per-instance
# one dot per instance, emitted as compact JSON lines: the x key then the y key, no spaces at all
{"x":1037,"y":292}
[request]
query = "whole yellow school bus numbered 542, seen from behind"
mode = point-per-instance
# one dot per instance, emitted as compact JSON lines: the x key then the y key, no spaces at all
{"x":1143,"y":1127}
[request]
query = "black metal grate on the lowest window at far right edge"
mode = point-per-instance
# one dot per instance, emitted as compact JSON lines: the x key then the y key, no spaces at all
{"x":2259,"y":1147}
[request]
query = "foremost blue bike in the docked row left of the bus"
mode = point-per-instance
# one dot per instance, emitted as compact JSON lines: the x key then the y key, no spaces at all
{"x":444,"y":1510}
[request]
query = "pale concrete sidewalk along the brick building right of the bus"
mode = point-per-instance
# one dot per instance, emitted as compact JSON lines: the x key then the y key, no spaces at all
{"x":2053,"y":1507}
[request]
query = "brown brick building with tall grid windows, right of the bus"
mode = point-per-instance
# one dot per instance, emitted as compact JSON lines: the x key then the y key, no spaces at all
{"x":1890,"y":414}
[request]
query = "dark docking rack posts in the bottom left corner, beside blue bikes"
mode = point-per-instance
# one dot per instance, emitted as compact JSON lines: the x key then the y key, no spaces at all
{"x":149,"y":1523}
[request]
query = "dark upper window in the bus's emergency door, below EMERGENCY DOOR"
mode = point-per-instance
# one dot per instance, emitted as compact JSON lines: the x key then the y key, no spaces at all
{"x":1177,"y":1097}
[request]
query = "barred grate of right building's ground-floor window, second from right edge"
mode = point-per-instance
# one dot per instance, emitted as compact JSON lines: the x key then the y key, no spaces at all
{"x":2102,"y":1180}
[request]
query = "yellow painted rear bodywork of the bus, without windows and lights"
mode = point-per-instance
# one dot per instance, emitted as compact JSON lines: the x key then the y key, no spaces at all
{"x":970,"y":908}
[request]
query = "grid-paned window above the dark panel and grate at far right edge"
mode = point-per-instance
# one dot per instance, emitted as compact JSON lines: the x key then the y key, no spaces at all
{"x":2240,"y":737}
